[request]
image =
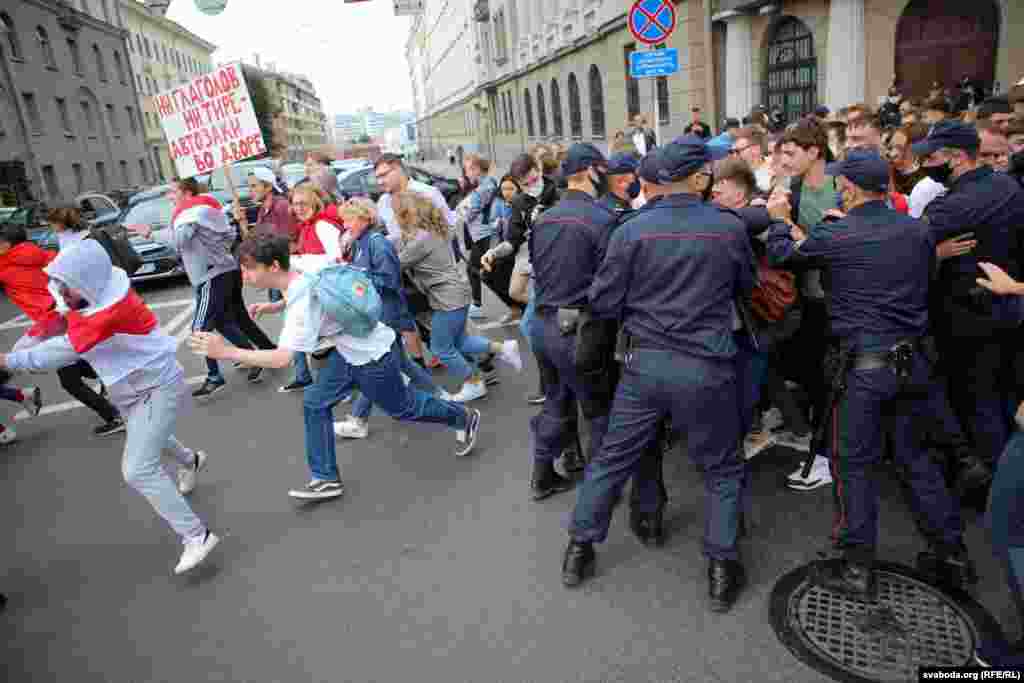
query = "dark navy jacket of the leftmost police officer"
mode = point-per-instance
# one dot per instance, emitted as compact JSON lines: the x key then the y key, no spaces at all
{"x":567,"y":247}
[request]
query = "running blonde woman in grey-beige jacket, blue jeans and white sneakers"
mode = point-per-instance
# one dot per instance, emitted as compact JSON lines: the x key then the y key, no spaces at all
{"x":425,"y":253}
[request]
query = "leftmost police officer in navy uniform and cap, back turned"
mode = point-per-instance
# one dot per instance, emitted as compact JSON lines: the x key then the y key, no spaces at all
{"x":567,"y":245}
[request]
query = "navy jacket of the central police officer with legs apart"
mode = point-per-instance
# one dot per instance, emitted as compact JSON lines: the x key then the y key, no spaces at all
{"x":673,"y":271}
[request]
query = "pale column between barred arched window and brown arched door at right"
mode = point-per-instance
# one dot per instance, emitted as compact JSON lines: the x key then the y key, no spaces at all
{"x":847,"y":70}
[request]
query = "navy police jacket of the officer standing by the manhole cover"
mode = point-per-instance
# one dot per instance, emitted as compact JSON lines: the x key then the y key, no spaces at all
{"x":877,"y":265}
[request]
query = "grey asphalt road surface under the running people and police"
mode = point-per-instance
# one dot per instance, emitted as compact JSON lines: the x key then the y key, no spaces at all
{"x":432,"y":569}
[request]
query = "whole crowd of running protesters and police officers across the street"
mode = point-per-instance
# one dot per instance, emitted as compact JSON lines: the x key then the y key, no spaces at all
{"x":846,"y":286}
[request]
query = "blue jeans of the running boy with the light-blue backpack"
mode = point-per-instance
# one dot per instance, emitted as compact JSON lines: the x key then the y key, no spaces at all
{"x":381,"y":382}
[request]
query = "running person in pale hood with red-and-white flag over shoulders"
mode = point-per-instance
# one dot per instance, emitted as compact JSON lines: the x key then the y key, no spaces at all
{"x":111,"y":327}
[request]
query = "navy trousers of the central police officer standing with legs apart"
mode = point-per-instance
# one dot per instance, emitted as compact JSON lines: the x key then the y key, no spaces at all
{"x":701,"y":397}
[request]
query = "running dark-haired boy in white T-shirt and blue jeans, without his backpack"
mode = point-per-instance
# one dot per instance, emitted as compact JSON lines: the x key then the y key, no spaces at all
{"x":370,"y":364}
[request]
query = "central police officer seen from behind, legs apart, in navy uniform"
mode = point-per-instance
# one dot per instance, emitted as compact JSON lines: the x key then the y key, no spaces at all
{"x":671,"y":275}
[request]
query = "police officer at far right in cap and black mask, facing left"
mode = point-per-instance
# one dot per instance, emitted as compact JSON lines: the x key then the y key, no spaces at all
{"x":977,"y":331}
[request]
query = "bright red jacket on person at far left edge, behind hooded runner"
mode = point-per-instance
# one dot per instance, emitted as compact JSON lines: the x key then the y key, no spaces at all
{"x":25,"y":283}
